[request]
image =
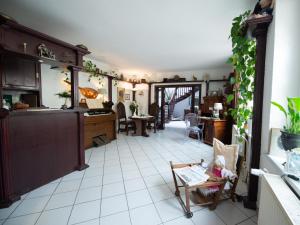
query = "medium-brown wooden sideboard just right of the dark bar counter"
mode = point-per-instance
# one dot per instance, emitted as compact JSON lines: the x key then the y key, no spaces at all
{"x":99,"y":125}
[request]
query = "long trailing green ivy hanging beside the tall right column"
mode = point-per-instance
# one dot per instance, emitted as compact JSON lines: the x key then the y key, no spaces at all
{"x":243,"y":60}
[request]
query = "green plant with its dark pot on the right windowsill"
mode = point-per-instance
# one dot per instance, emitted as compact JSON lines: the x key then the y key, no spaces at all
{"x":290,"y":135}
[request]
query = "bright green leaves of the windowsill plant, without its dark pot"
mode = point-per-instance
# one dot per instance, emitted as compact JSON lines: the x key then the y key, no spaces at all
{"x":292,"y":115}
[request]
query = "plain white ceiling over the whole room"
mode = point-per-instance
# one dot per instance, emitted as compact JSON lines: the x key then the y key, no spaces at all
{"x":138,"y":35}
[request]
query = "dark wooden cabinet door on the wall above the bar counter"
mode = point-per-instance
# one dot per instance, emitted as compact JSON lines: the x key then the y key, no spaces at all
{"x":20,"y":73}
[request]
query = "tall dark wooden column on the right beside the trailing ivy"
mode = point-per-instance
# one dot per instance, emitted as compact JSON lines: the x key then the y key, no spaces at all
{"x":260,"y":28}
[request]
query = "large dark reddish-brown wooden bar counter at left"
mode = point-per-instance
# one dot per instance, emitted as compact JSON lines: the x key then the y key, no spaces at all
{"x":37,"y":147}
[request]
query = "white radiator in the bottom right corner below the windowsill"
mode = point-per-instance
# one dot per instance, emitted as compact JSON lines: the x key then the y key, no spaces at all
{"x":278,"y":204}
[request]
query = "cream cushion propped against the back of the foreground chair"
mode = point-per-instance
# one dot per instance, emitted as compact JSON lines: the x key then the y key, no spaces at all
{"x":230,"y":153}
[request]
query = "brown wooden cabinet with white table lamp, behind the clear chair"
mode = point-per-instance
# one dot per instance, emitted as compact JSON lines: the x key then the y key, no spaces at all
{"x":216,"y":128}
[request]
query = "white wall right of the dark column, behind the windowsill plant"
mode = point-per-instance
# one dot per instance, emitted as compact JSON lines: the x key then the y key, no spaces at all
{"x":282,"y":72}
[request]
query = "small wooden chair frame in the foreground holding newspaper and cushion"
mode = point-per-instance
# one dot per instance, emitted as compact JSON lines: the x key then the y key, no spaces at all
{"x":194,"y":193}
